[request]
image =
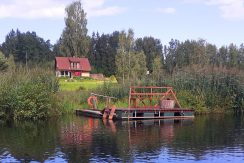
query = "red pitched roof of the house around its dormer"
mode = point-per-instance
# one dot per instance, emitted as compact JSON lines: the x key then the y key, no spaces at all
{"x":63,"y":63}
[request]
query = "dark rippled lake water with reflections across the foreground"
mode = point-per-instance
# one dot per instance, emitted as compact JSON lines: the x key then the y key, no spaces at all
{"x":218,"y":138}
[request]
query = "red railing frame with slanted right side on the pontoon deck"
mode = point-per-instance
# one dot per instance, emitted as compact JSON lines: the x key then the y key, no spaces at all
{"x":151,"y":94}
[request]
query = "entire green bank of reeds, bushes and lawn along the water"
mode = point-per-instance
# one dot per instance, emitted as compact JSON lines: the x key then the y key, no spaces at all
{"x":38,"y":94}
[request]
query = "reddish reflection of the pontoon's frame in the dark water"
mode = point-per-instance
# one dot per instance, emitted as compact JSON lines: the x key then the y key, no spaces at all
{"x":135,"y":138}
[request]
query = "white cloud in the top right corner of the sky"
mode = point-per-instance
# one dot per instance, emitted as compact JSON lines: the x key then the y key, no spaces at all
{"x":229,"y":9}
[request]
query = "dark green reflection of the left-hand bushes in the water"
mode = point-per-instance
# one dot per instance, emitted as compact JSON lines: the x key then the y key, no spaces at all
{"x":28,"y":141}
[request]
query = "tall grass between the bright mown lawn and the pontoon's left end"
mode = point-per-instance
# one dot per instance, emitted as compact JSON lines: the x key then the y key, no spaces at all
{"x":72,"y":100}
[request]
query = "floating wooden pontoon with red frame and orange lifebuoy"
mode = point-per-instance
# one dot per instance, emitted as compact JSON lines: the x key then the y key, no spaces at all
{"x":146,"y":102}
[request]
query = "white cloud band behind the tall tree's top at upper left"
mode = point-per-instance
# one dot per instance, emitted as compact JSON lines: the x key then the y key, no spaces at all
{"x":34,"y":9}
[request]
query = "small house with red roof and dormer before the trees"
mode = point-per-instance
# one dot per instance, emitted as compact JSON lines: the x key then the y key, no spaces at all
{"x":72,"y":67}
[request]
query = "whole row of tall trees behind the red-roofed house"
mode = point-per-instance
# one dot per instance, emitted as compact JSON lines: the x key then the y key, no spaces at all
{"x":116,"y":53}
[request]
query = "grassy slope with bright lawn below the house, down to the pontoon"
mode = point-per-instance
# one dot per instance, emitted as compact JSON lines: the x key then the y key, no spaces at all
{"x":74,"y":93}
